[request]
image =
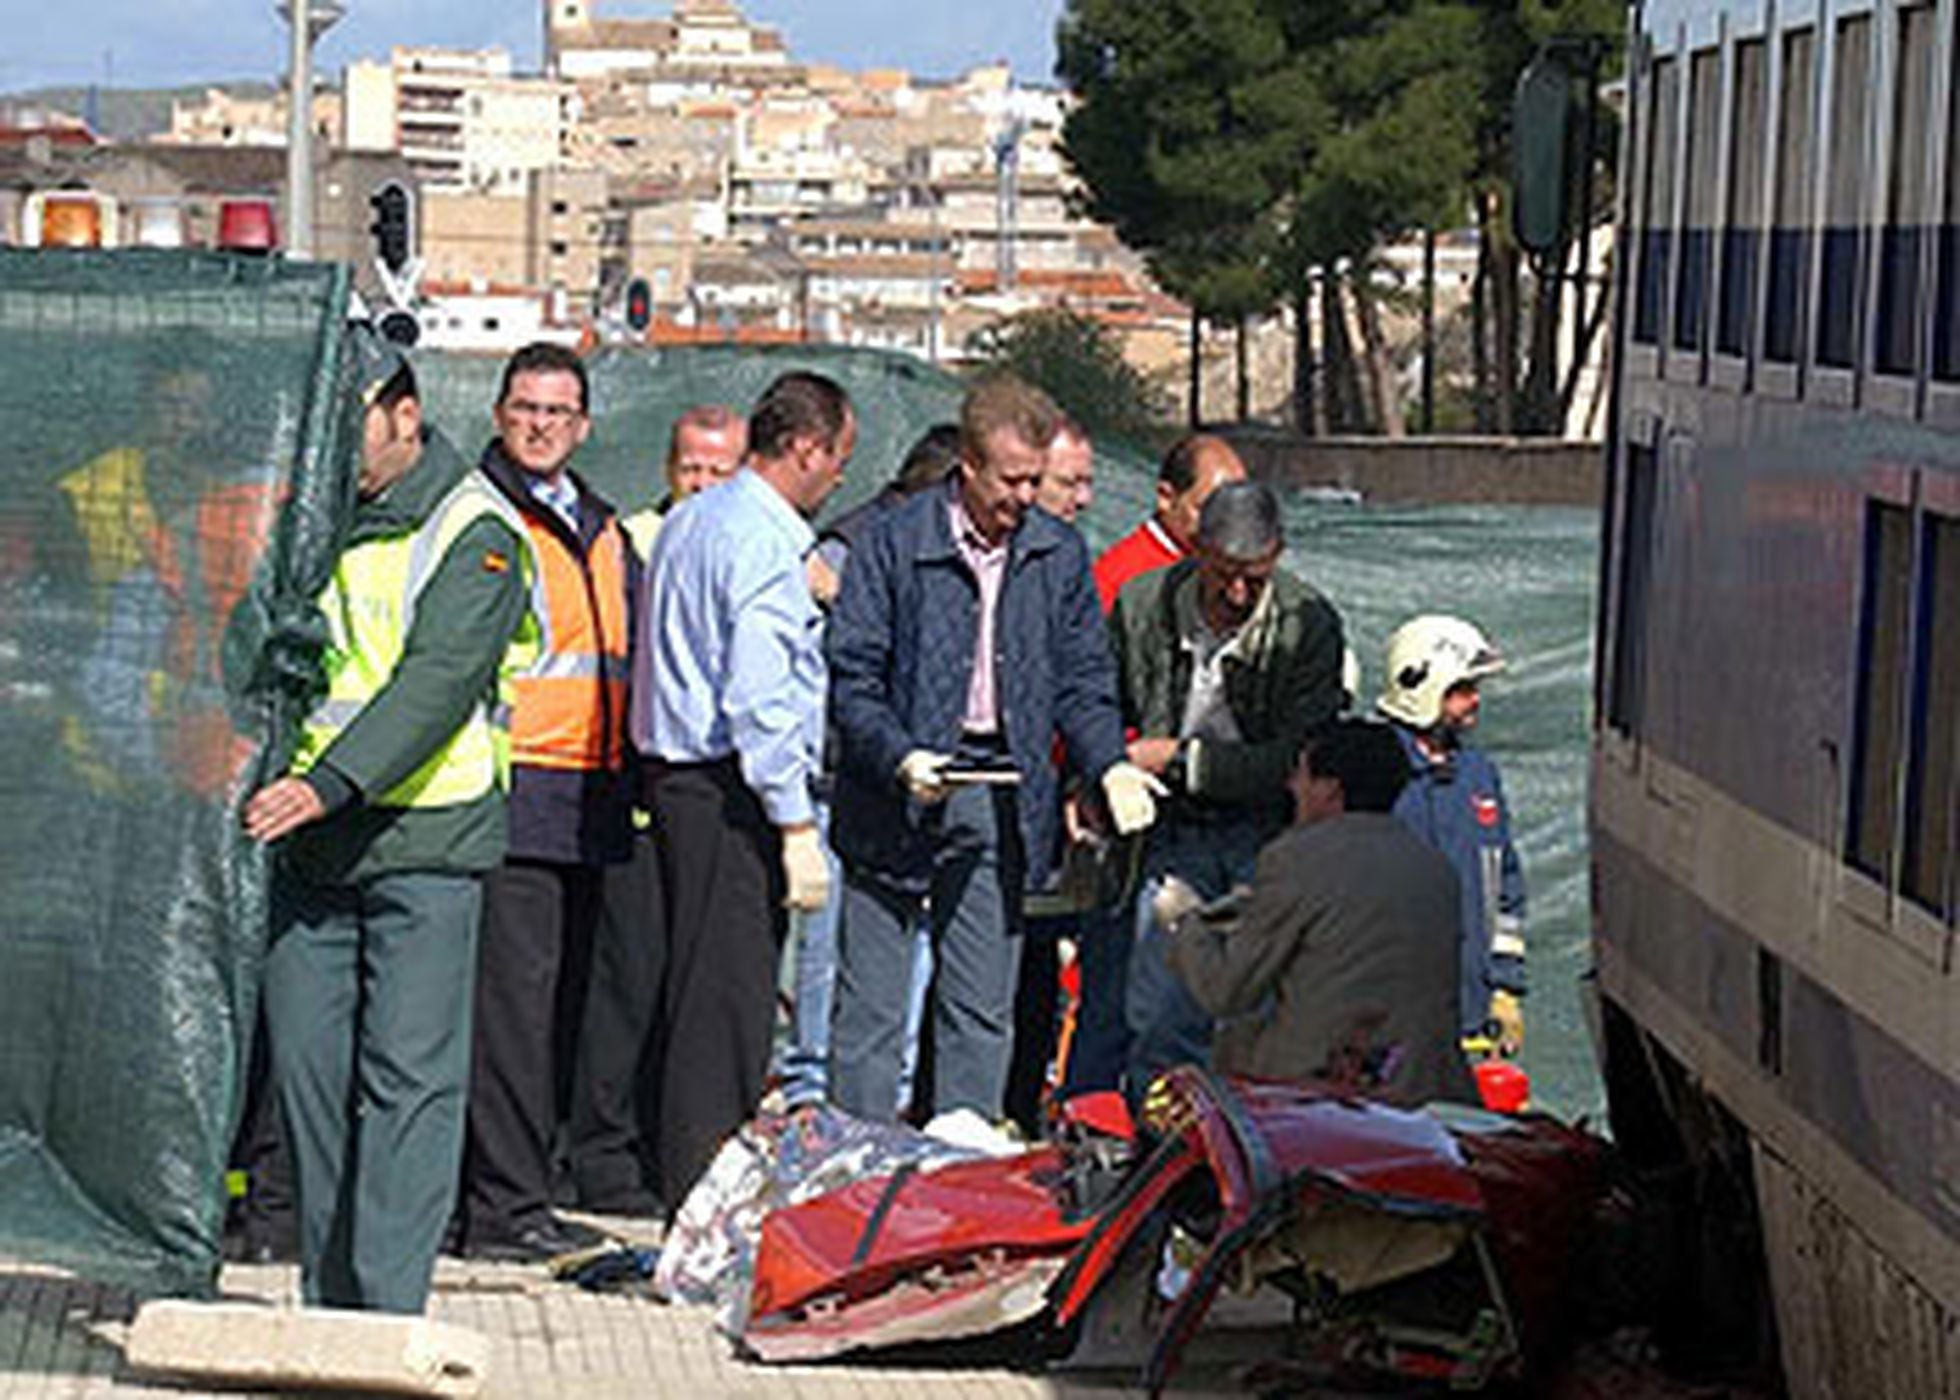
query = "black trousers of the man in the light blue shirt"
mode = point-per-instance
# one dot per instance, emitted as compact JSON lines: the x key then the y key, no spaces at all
{"x":722,"y":864}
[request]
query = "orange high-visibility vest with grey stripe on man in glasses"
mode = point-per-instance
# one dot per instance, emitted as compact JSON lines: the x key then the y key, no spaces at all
{"x":571,"y":707}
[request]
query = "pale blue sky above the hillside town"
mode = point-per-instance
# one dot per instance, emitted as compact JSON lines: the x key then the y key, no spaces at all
{"x":173,"y":42}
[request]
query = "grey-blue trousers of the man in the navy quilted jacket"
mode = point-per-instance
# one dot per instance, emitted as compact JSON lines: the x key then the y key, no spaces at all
{"x":975,"y":909}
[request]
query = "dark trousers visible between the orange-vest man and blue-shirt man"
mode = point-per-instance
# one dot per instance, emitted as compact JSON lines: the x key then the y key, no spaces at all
{"x":616,"y":1087}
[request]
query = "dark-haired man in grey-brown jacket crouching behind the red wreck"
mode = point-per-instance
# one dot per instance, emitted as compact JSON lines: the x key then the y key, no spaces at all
{"x":1342,"y":960}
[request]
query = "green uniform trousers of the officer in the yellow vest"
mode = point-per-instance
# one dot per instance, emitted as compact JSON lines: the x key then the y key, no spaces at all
{"x":367,"y":997}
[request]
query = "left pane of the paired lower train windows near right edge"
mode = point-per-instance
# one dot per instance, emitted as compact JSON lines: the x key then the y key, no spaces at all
{"x":1885,"y":646}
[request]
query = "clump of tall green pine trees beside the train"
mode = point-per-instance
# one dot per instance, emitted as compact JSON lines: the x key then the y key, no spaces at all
{"x":1248,"y":146}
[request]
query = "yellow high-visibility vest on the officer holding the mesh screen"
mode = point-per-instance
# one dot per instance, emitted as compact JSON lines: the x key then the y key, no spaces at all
{"x":371,"y":607}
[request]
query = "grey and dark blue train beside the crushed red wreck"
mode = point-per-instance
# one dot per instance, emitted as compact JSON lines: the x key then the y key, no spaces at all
{"x":1777,"y":742}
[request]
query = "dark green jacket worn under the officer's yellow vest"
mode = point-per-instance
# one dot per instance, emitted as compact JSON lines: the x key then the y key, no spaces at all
{"x":464,"y":625}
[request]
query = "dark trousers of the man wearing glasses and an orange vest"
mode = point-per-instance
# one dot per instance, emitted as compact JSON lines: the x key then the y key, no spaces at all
{"x":530,"y":983}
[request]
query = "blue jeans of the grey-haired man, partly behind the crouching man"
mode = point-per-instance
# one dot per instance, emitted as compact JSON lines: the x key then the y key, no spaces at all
{"x":1165,"y":1021}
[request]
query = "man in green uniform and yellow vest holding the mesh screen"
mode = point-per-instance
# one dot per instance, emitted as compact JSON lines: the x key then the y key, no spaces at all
{"x":387,"y":821}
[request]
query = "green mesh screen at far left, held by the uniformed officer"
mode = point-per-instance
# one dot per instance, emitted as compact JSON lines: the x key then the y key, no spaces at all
{"x":173,"y":462}
